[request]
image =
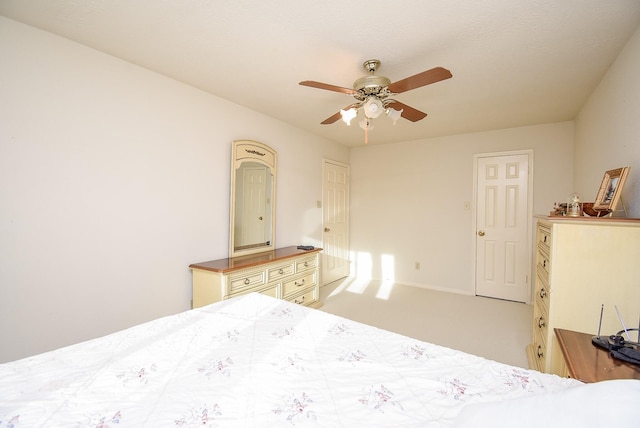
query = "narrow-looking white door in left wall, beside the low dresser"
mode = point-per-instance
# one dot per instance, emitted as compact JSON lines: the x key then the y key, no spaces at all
{"x":335,"y":219}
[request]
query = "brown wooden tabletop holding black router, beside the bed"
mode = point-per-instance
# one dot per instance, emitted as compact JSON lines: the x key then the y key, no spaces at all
{"x":589,"y":363}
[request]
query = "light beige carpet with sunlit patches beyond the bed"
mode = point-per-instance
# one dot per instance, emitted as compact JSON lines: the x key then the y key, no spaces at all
{"x":495,"y":329}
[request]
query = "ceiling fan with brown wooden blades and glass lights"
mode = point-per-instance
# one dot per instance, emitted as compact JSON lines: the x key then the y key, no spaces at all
{"x":372,"y":94}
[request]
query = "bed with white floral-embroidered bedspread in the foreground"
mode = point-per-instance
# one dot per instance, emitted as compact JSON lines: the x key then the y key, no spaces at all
{"x":255,"y":361}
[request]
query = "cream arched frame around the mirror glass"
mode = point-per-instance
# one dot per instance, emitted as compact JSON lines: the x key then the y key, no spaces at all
{"x":251,"y":151}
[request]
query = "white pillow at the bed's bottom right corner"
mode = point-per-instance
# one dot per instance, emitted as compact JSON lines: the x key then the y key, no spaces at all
{"x":603,"y":404}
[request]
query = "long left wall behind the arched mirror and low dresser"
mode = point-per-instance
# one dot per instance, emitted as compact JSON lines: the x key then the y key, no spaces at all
{"x":113,"y":179}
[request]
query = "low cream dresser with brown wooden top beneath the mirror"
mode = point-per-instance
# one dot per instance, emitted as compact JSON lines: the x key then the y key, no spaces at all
{"x":286,"y":273}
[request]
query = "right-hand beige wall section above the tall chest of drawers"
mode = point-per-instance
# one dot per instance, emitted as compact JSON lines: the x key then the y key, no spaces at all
{"x":608,"y":129}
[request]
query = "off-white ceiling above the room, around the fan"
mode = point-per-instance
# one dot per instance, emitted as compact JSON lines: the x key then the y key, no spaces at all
{"x":514,"y":62}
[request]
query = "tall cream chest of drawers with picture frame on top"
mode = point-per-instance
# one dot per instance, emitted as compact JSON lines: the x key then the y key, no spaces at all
{"x":581,"y":264}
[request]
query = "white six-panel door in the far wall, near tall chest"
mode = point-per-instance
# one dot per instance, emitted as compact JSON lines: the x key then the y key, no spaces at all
{"x":502,"y":227}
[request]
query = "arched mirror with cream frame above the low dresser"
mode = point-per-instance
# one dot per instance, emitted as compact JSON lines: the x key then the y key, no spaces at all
{"x":253,"y":191}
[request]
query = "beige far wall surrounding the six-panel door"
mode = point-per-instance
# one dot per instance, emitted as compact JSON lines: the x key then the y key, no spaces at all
{"x":407,"y":201}
